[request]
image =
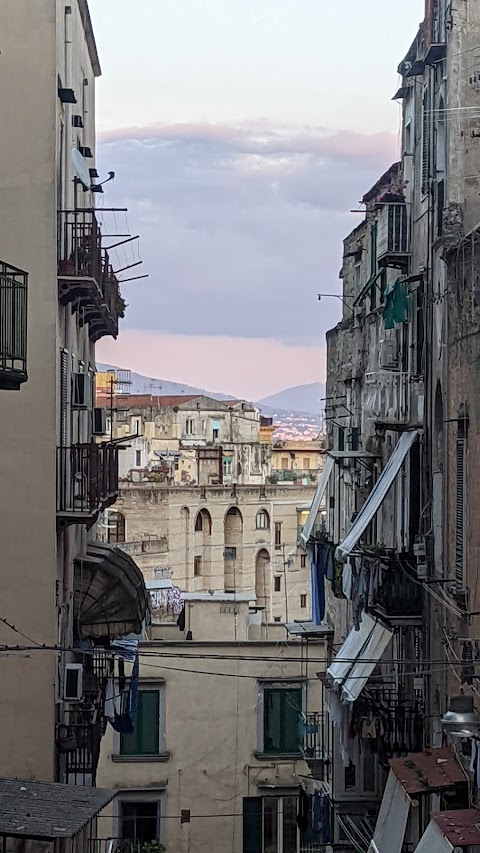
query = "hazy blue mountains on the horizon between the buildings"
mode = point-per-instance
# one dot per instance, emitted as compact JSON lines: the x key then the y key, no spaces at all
{"x":293,"y":421}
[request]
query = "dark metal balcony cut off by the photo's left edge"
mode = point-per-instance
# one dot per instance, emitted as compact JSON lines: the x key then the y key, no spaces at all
{"x":13,"y":327}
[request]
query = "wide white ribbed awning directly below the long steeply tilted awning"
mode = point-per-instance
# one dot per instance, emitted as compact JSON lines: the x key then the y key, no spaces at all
{"x":357,"y":658}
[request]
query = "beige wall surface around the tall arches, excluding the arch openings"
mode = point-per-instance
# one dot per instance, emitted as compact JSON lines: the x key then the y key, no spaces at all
{"x":155,"y":510}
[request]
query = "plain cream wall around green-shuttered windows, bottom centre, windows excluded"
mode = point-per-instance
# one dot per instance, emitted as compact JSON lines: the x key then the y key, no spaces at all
{"x":212,"y":763}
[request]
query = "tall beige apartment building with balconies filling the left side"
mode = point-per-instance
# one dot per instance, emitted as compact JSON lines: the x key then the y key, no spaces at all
{"x":56,"y":587}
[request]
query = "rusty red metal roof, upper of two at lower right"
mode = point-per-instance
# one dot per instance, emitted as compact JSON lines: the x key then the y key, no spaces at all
{"x":431,"y":770}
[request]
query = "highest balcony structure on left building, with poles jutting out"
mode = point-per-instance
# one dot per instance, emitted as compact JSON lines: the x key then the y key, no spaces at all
{"x":85,"y":275}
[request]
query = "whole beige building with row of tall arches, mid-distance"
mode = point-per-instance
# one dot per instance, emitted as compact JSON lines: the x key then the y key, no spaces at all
{"x":229,"y":538}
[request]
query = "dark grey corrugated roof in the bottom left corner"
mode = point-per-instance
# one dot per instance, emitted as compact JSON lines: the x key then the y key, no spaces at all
{"x":47,"y":809}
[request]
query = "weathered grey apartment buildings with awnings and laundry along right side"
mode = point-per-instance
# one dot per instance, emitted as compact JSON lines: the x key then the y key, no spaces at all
{"x":400,"y":471}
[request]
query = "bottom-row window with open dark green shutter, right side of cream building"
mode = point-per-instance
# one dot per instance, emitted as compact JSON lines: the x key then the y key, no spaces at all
{"x":269,"y":825}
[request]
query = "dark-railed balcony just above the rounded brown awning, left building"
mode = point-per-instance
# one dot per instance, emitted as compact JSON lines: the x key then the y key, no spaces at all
{"x":87,"y":482}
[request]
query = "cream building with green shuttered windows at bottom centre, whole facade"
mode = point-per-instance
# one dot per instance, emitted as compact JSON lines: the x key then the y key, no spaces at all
{"x":201,"y":774}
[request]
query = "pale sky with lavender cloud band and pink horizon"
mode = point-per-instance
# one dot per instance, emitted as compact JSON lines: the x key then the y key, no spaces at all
{"x":242,"y":133}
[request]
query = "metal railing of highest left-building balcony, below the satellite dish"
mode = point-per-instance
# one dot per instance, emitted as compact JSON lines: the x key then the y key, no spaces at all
{"x":79,"y":244}
